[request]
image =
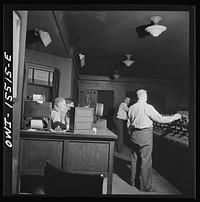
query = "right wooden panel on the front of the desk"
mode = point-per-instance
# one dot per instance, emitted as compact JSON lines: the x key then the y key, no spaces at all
{"x":83,"y":156}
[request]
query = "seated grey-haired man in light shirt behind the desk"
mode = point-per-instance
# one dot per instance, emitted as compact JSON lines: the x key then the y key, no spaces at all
{"x":58,"y":114}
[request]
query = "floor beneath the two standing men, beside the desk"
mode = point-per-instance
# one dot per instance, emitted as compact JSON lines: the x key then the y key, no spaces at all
{"x":121,"y":173}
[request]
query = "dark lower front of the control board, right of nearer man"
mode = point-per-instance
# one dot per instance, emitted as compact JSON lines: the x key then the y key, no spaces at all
{"x":174,"y":162}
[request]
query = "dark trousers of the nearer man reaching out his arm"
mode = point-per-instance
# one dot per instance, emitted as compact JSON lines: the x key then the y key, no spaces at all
{"x":141,"y":157}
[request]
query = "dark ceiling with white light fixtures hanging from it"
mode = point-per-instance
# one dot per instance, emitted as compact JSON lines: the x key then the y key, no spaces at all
{"x":105,"y":37}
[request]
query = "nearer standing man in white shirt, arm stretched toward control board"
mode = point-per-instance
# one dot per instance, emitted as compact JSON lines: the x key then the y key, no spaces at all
{"x":141,"y":117}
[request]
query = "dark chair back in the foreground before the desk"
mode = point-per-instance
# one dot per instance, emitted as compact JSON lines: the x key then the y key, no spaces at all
{"x":60,"y":183}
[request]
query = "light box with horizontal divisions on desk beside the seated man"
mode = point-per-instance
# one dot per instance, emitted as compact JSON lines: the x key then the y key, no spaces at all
{"x":84,"y":118}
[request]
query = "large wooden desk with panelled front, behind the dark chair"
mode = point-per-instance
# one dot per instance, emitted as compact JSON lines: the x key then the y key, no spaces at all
{"x":72,"y":152}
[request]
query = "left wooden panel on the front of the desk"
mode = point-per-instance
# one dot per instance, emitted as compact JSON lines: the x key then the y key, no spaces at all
{"x":34,"y":154}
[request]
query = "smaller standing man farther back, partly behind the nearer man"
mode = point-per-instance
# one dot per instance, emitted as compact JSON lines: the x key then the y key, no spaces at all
{"x":121,"y":123}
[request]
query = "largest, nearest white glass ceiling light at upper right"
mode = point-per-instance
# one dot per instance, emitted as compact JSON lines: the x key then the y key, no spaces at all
{"x":155,"y":30}
